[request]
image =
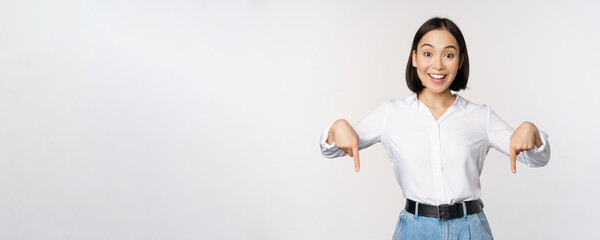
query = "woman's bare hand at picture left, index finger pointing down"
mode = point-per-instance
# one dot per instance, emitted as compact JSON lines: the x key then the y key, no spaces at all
{"x":345,"y":138}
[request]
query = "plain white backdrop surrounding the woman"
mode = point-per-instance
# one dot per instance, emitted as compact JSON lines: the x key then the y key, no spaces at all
{"x":201,"y":119}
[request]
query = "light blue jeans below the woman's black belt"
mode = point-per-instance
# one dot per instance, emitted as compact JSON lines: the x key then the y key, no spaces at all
{"x":474,"y":226}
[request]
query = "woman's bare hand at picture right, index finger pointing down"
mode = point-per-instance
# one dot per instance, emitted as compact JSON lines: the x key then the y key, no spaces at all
{"x":523,"y":139}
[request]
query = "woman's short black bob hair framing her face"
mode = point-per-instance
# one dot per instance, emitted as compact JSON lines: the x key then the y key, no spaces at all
{"x":462,"y":76}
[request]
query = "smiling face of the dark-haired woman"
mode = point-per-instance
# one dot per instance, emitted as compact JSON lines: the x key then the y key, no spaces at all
{"x":437,"y":60}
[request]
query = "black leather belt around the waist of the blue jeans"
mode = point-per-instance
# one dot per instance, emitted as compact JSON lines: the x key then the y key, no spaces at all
{"x":444,"y":212}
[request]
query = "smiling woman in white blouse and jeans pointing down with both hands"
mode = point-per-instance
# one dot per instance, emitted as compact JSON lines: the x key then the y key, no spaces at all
{"x":437,"y":141}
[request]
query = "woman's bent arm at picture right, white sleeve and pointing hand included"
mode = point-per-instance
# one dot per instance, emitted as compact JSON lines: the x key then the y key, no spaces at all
{"x":527,"y":139}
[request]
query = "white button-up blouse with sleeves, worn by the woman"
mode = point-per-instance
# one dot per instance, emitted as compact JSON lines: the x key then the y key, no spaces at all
{"x":438,"y":161}
